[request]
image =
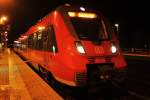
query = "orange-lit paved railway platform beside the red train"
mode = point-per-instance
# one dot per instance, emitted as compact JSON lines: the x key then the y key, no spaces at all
{"x":19,"y":82}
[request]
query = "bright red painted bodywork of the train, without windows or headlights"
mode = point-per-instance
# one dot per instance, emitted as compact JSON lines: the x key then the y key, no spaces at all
{"x":68,"y":61}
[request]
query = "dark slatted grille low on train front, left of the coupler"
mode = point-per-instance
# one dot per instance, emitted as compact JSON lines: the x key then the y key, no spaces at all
{"x":80,"y":78}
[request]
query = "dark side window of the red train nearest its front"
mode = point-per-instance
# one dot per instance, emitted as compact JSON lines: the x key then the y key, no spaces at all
{"x":49,"y":40}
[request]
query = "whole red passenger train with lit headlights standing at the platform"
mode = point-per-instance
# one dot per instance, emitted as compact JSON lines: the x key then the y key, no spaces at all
{"x":74,"y":45}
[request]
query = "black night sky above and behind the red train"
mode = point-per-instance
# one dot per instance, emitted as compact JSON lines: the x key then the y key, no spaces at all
{"x":133,"y":17}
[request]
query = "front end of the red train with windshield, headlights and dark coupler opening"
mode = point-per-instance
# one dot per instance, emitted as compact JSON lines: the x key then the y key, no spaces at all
{"x":94,"y":53}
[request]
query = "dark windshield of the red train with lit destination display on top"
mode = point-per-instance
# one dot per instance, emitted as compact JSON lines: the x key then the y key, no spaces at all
{"x":89,"y":26}
